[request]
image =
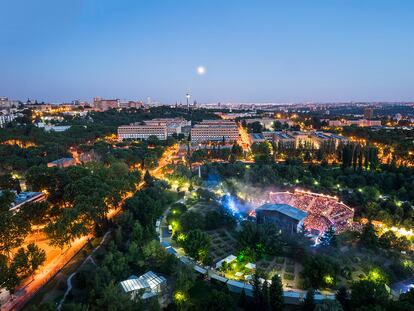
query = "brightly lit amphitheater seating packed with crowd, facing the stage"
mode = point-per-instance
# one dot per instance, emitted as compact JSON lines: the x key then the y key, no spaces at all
{"x":323,"y":211}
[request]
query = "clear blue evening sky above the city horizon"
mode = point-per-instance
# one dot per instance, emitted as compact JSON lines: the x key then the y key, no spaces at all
{"x":253,"y":51}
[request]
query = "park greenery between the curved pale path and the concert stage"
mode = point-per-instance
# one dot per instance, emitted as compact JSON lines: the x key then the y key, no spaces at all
{"x":364,"y":257}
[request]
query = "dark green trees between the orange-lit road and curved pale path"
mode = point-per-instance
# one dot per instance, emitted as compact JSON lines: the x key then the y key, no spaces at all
{"x":132,"y":249}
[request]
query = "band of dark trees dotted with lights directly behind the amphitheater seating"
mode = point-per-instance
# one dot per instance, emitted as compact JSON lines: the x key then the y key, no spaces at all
{"x":373,"y":193}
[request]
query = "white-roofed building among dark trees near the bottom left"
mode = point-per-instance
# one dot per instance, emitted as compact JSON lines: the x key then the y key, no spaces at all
{"x":147,"y":285}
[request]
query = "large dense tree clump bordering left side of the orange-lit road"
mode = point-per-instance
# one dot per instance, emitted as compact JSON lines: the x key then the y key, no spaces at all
{"x":83,"y":196}
